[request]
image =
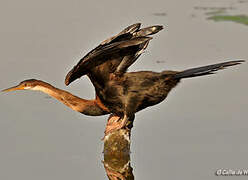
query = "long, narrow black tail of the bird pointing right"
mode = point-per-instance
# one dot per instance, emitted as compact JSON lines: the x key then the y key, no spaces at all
{"x":205,"y":70}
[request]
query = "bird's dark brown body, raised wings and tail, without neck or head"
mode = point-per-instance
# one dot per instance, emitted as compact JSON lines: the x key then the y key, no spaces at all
{"x":126,"y":93}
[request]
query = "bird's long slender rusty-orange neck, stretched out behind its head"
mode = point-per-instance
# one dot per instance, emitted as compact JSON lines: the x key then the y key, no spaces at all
{"x":87,"y":107}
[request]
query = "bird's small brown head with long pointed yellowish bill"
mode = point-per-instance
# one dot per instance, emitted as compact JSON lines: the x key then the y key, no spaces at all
{"x":29,"y":84}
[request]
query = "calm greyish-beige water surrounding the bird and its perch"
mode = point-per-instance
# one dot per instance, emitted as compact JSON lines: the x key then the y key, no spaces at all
{"x":200,"y":128}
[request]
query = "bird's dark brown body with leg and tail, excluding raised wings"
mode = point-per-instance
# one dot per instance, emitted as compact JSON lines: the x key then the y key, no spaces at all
{"x":135,"y":91}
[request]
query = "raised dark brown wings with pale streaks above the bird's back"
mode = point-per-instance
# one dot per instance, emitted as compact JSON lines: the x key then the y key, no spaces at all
{"x":114,"y":55}
